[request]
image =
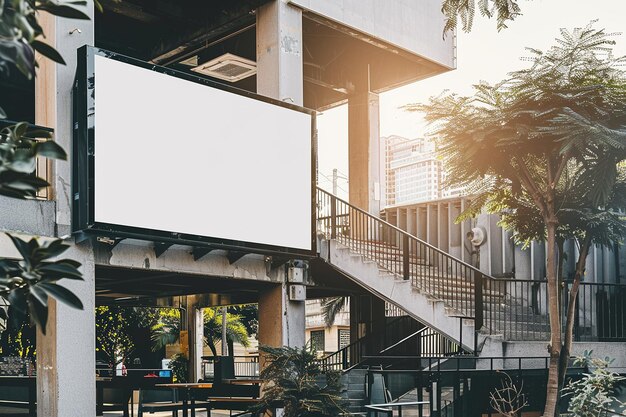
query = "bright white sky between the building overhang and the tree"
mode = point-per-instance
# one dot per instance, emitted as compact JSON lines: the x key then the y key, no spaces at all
{"x":483,"y":54}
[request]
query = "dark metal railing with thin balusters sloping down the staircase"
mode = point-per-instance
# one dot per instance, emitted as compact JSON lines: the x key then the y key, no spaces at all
{"x":458,"y":284}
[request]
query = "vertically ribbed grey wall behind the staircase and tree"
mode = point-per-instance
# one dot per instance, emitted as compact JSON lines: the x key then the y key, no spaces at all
{"x":434,"y":222}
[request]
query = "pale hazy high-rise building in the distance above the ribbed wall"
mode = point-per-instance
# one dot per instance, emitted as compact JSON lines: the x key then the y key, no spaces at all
{"x":414,"y":172}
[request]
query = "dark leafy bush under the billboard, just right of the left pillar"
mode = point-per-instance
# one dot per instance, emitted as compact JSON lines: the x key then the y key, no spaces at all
{"x":112,"y":337}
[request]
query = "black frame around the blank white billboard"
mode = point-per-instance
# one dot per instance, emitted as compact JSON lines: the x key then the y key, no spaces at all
{"x":83,"y":164}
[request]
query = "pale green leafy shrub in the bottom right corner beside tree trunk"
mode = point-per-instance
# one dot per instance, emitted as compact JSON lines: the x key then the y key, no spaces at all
{"x":592,"y":396}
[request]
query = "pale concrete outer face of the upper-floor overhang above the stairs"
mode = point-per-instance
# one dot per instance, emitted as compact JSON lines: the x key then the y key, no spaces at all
{"x":416,"y":26}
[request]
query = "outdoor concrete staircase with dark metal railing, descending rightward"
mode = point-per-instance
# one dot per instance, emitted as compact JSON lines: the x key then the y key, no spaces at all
{"x":436,"y":289}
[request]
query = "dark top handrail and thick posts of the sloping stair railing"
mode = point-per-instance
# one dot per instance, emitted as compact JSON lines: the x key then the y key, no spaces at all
{"x":478,"y":276}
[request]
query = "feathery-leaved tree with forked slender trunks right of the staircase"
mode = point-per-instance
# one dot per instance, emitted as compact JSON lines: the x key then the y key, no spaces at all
{"x":546,"y":142}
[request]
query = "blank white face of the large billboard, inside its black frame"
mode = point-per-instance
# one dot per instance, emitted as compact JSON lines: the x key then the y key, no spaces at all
{"x":176,"y":156}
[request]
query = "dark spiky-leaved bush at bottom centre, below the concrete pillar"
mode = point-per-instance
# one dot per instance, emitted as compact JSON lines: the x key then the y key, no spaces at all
{"x":292,"y":377}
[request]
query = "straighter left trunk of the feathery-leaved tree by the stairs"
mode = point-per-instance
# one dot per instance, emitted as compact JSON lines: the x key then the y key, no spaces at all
{"x":552,"y":392}
